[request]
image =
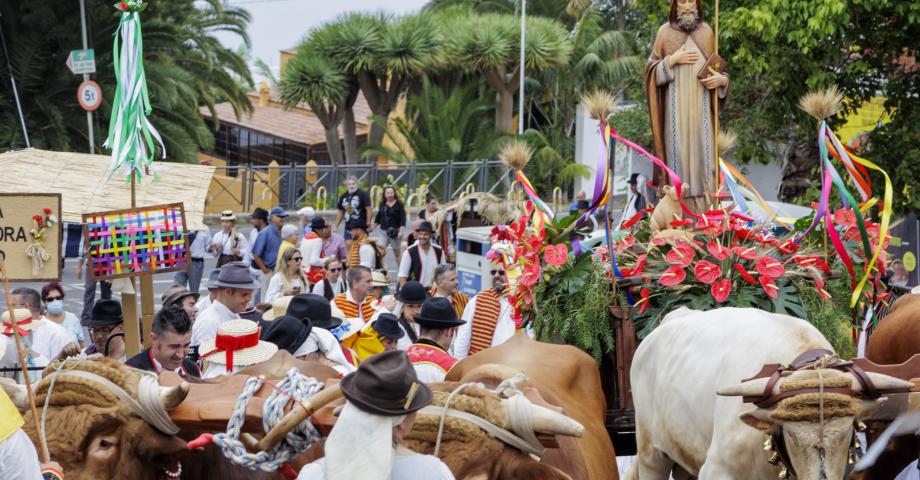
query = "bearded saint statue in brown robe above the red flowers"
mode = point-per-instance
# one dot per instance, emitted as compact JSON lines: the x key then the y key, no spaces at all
{"x":681,"y":77}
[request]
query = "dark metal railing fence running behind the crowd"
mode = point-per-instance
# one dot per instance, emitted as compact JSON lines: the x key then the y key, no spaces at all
{"x":242,"y":188}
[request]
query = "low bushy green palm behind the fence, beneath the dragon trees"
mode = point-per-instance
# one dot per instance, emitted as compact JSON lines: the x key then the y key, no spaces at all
{"x":438,"y":127}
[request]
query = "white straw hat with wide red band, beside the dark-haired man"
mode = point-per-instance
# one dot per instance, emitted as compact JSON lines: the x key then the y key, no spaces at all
{"x":237,"y":345}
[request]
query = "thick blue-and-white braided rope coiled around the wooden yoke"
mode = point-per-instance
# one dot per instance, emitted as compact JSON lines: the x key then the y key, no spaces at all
{"x":295,"y":386}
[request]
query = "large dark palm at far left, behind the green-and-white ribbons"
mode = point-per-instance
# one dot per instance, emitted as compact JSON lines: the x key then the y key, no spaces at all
{"x":185,"y":64}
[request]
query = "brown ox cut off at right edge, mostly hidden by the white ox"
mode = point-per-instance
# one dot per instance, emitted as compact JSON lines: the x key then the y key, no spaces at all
{"x":895,"y":340}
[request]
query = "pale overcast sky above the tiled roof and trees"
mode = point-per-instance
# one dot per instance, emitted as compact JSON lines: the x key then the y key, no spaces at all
{"x":281,"y":24}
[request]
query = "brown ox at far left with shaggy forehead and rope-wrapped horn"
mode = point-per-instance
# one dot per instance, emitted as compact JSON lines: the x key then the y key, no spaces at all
{"x":95,"y":436}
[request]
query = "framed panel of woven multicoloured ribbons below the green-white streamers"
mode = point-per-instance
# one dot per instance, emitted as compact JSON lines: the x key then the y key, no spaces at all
{"x":124,"y":243}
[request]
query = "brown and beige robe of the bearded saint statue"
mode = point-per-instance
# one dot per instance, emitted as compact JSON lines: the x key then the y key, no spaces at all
{"x":680,"y":109}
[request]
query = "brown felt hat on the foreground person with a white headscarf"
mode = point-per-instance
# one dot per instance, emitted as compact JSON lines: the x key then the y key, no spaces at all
{"x":386,"y":384}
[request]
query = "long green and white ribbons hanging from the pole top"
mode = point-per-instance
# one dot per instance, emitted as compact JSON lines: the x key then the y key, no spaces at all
{"x":131,"y":135}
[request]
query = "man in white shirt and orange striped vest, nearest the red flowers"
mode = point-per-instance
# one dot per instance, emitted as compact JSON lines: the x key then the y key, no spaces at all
{"x":488,"y":319}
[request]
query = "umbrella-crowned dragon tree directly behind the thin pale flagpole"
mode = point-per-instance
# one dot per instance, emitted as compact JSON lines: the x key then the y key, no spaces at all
{"x":490,"y":45}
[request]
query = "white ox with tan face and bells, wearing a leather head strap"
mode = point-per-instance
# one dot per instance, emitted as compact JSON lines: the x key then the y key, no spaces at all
{"x":681,"y":422}
